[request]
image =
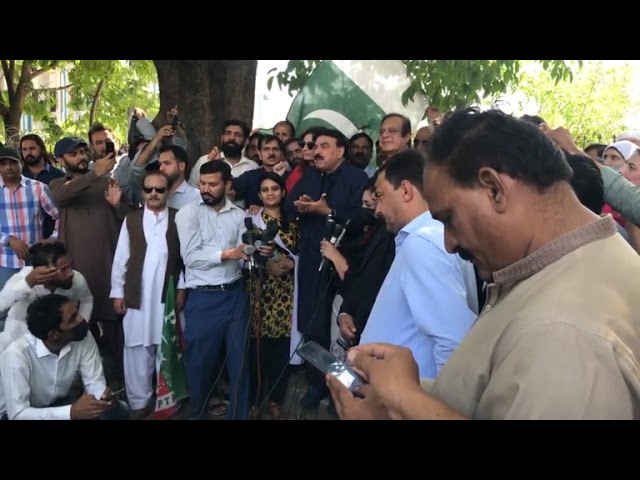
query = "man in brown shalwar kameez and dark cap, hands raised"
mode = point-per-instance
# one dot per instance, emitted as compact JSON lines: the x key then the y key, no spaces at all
{"x":90,"y":218}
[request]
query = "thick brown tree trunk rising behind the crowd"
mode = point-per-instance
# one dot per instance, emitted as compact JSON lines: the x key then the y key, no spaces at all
{"x":207,"y":93}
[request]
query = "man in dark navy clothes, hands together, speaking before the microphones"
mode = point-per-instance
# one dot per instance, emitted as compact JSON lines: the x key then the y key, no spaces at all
{"x":332,"y":188}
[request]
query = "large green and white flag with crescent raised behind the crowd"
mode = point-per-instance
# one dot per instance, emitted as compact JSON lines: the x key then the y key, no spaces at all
{"x":353,"y":95}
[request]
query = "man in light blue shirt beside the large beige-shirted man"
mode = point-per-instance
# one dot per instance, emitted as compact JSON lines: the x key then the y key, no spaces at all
{"x":422,"y":304}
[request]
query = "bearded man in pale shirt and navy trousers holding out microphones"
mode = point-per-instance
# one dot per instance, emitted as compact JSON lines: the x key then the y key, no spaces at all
{"x":217,"y":309}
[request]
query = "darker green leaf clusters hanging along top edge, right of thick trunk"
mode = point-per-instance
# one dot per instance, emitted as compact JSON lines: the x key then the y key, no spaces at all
{"x":447,"y":83}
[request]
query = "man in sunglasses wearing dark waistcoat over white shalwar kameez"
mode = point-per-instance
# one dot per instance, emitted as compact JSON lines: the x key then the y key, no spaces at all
{"x":147,"y":255}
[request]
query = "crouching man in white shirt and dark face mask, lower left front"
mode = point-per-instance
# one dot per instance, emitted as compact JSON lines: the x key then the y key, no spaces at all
{"x":38,"y":369}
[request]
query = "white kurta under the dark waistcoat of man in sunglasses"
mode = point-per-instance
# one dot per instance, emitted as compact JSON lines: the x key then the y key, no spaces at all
{"x":143,"y":327}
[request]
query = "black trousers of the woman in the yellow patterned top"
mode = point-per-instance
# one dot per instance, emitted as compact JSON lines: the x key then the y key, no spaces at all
{"x":269,"y":369}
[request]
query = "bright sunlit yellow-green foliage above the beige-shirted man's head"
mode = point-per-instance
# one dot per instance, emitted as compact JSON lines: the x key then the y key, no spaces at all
{"x":594,"y":107}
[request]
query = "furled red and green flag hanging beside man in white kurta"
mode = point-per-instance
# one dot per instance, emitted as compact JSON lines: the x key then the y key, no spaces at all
{"x":172,"y":376}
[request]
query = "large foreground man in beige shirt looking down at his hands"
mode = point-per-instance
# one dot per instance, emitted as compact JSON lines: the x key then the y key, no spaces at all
{"x":559,"y":336}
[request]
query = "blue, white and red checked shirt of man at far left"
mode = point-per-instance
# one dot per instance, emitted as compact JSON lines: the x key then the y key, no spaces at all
{"x":21,"y":217}
